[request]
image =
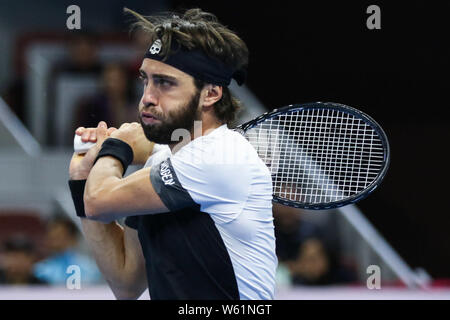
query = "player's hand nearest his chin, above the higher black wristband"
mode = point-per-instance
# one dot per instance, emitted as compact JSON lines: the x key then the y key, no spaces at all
{"x":133,"y":134}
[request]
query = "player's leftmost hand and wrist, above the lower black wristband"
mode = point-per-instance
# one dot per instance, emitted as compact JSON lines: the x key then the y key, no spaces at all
{"x":81,"y":164}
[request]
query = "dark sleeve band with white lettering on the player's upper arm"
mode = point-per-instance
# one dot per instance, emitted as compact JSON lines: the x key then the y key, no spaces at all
{"x":169,"y":188}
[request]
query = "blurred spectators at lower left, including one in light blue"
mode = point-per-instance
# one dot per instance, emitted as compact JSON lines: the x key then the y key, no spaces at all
{"x":26,"y":261}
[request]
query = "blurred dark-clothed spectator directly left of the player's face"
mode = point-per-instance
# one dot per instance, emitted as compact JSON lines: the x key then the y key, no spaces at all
{"x":115,"y":104}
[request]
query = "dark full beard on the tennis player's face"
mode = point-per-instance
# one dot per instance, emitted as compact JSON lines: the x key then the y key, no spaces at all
{"x":181,"y":118}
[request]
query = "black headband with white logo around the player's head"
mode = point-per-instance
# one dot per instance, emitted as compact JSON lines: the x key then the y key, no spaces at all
{"x":197,"y":64}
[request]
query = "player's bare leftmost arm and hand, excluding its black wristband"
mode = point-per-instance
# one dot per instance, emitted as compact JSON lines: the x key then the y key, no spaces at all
{"x":116,"y":249}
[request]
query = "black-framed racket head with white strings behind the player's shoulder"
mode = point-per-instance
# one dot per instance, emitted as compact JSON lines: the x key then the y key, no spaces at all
{"x":304,"y":129}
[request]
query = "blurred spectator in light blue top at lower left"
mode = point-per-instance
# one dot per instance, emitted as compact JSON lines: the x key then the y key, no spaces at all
{"x":62,"y":240}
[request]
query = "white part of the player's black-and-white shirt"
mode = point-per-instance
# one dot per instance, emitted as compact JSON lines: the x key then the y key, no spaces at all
{"x":223,"y":174}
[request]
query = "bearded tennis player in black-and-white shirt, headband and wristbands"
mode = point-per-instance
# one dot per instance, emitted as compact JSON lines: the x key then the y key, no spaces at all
{"x":198,"y":222}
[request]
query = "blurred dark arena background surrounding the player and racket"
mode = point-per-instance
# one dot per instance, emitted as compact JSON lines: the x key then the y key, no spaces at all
{"x":53,"y":80}
